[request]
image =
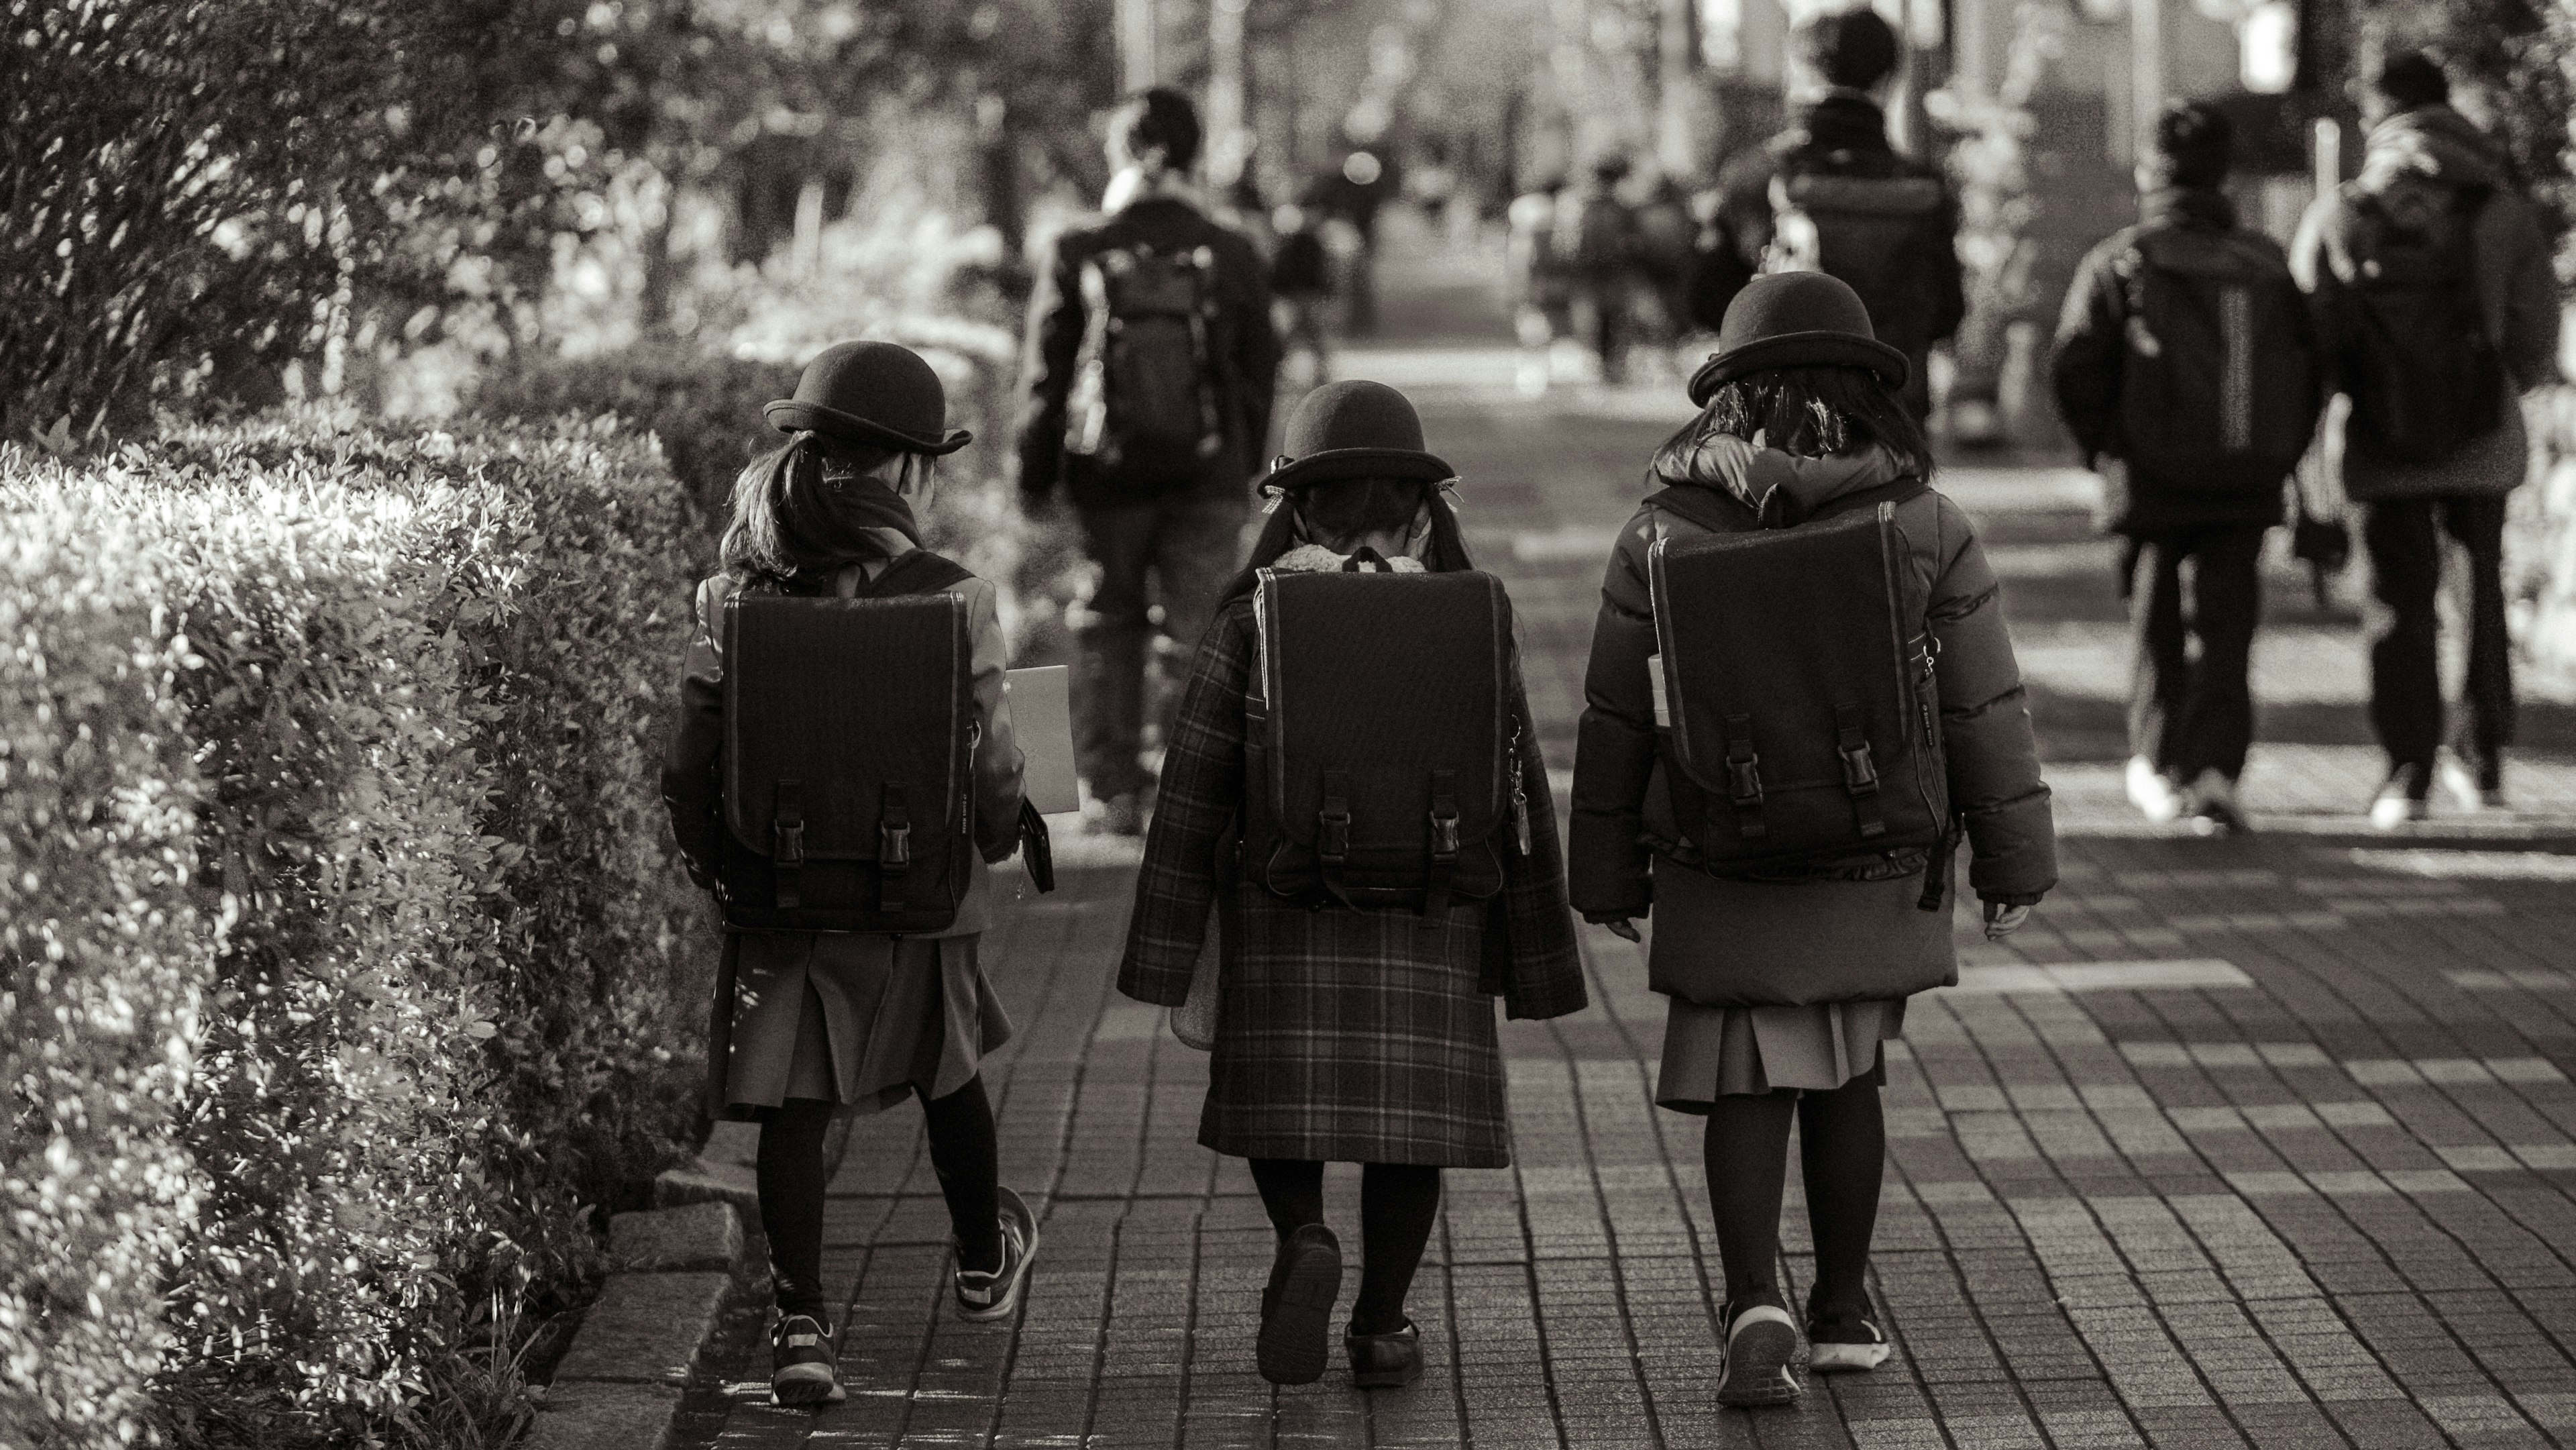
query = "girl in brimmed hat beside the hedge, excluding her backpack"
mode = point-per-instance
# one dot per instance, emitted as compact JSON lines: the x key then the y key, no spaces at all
{"x":820,"y":1024}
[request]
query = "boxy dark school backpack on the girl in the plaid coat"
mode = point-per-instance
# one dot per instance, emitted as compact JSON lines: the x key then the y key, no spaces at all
{"x":1379,"y":740}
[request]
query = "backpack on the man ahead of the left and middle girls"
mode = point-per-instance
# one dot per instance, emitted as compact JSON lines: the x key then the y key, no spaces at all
{"x":1145,"y":390}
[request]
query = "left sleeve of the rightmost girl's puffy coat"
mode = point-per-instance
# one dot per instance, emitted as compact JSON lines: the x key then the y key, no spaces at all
{"x":1614,"y":748}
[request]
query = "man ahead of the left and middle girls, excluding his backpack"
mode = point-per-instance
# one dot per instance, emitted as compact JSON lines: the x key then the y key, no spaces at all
{"x":1181,"y":537}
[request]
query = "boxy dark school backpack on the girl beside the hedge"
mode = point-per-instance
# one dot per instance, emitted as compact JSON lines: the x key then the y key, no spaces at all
{"x":849,"y":753}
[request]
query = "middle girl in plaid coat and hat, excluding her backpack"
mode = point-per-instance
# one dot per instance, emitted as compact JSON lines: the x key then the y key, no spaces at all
{"x":1343,"y":1034}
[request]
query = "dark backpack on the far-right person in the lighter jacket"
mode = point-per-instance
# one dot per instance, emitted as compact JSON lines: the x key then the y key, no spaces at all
{"x":2420,"y":367}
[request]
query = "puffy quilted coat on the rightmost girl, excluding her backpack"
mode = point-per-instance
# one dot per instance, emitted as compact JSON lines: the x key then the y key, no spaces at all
{"x":1851,"y":923}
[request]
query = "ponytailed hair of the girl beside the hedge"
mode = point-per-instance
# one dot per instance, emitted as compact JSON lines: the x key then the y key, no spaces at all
{"x":808,"y":506}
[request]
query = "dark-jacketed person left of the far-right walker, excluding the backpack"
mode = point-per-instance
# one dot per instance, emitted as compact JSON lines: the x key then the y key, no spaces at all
{"x":2191,"y":707}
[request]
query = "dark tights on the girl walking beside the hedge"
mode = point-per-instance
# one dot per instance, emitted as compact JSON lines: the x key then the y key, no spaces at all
{"x":792,"y":1189}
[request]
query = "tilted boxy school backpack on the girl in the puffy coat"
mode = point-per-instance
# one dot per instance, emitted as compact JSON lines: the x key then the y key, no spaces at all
{"x":1797,"y":673}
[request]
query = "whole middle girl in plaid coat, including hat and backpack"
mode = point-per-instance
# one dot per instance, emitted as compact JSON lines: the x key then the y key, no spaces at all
{"x":1356,"y":792}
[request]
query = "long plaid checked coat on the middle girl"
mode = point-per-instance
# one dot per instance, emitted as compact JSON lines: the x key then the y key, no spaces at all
{"x":1346,"y":1037}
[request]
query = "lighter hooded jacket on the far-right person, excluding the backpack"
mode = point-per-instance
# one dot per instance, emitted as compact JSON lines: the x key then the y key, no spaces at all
{"x":2418,"y":166}
